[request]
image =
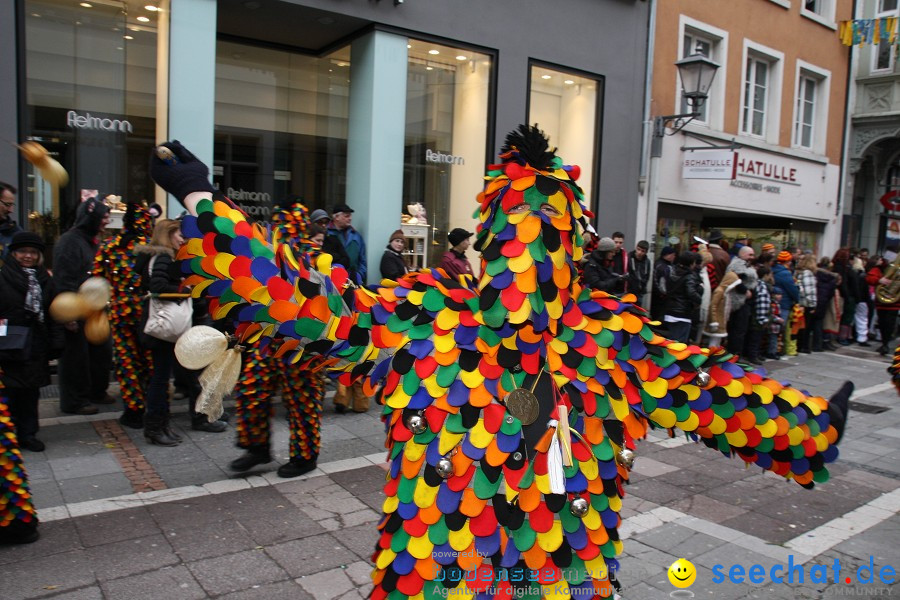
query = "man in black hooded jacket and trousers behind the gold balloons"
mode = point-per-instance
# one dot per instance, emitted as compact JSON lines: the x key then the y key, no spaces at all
{"x":83,"y":368}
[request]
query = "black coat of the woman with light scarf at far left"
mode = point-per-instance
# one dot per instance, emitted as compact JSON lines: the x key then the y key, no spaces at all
{"x":46,"y":337}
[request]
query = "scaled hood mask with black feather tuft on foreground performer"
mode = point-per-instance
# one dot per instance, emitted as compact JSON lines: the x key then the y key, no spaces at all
{"x":530,"y":233}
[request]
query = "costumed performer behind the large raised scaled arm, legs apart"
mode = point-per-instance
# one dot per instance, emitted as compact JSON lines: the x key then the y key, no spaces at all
{"x":264,"y":375}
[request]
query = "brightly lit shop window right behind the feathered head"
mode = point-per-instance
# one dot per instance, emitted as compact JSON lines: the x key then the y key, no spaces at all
{"x":565,"y":106}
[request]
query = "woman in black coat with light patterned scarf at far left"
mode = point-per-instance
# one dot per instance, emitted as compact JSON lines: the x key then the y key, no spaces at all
{"x":26,"y":330}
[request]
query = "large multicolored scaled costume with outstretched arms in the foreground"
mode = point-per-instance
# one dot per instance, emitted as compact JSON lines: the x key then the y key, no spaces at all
{"x":483,"y":476}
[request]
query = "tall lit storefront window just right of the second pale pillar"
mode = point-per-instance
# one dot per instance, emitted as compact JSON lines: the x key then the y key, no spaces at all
{"x":447,"y":99}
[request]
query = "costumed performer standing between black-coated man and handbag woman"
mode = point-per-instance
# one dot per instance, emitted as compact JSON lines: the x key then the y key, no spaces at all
{"x":115,"y":263}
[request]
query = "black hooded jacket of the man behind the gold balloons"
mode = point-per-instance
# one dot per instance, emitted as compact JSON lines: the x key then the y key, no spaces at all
{"x":73,"y":254}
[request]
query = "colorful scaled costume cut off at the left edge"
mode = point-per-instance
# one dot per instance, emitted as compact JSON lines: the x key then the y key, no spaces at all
{"x":18,"y":518}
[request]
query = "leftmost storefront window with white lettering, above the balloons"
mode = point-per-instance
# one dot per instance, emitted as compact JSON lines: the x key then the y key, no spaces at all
{"x":91,"y":96}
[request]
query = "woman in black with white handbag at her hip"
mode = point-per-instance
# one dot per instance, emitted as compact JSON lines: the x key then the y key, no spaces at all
{"x":160,"y":275}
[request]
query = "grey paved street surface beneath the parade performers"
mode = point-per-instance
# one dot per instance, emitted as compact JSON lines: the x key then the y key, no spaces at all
{"x":123,"y":519}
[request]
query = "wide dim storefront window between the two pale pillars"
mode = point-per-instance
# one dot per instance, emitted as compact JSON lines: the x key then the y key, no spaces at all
{"x":281,"y":127}
